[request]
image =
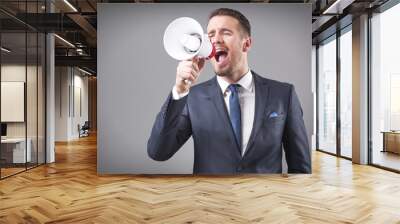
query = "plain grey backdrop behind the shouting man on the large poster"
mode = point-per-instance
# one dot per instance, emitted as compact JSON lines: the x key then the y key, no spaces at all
{"x":135,"y":74}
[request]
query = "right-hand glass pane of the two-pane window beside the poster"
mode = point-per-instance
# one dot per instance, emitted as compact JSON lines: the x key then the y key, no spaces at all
{"x":346,"y":94}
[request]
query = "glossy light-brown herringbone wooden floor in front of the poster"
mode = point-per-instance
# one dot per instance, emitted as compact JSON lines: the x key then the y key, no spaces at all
{"x":70,"y":191}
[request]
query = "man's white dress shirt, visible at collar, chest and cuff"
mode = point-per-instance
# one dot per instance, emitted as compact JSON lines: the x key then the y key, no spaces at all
{"x":247,"y":103}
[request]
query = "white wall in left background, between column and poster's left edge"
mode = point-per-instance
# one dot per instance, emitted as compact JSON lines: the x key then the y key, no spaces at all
{"x":70,"y":83}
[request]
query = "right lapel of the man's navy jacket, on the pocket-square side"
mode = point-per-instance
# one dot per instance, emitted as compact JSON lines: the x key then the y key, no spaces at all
{"x":261,"y":95}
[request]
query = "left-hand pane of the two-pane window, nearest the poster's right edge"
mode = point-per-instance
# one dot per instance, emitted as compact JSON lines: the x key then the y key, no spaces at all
{"x":327,"y":96}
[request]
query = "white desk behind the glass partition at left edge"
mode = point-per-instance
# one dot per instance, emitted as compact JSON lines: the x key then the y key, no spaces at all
{"x":15,"y":148}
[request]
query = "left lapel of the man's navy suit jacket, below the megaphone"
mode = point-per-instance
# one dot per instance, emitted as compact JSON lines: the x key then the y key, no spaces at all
{"x":215,"y":95}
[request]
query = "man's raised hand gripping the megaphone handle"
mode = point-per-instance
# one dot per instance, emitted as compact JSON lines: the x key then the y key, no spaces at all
{"x":187,"y":73}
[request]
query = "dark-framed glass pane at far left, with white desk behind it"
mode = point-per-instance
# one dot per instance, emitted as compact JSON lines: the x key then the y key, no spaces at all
{"x":13,"y":87}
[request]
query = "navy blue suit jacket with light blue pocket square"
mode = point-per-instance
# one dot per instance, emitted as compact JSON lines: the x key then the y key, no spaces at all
{"x":203,"y":115}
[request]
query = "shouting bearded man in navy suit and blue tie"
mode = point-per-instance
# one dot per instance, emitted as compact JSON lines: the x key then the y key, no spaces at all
{"x":238,"y":119}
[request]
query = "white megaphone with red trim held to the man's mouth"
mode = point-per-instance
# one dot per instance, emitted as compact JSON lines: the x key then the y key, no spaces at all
{"x":184,"y":39}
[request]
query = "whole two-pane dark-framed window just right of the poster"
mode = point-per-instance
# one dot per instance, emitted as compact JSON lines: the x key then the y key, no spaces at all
{"x":333,"y":137}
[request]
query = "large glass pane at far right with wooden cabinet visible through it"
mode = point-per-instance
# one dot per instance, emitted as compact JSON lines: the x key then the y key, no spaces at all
{"x":386,"y":88}
